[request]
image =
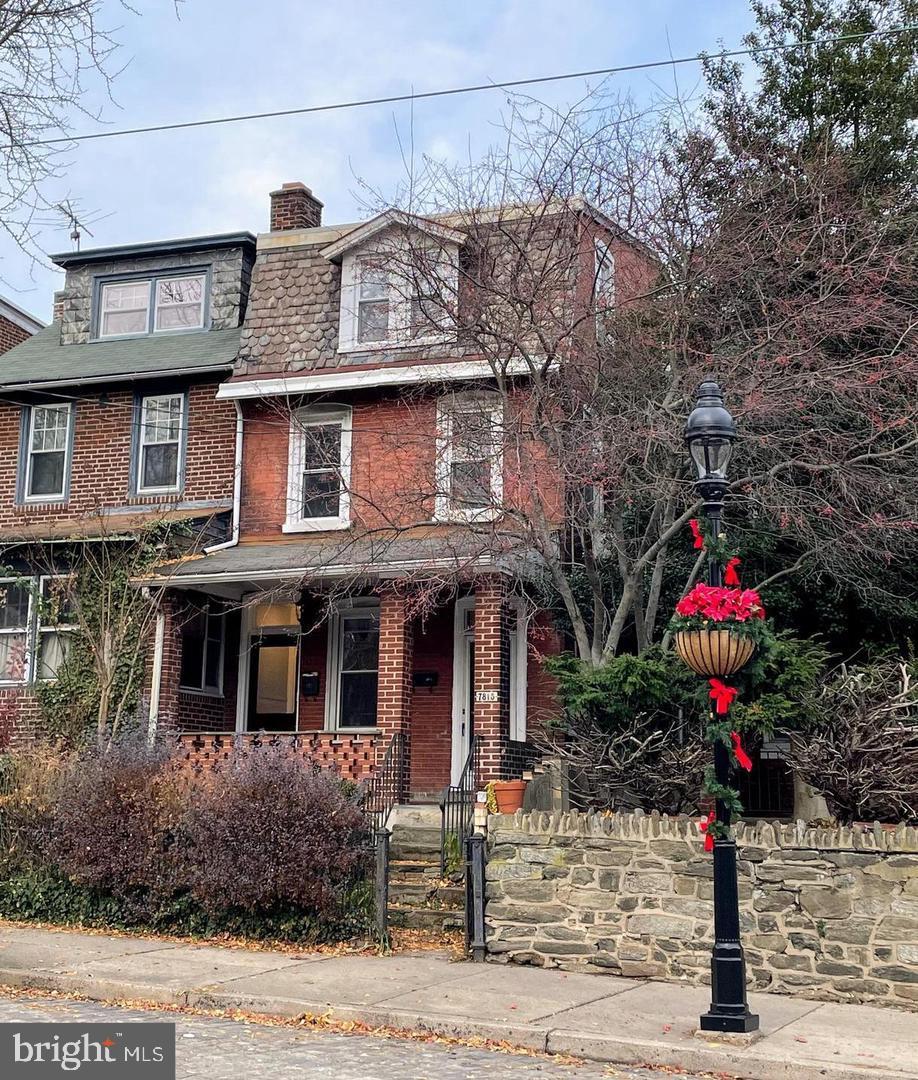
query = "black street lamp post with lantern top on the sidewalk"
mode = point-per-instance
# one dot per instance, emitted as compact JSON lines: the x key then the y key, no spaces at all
{"x":710,"y":435}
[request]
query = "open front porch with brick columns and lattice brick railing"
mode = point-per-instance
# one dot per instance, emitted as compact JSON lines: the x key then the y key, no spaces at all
{"x":337,"y":681}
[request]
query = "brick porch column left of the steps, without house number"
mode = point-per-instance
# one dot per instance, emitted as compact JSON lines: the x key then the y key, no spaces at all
{"x":396,"y":661}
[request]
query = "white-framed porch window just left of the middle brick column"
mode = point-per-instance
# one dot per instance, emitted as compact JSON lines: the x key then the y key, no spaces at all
{"x":353,"y":678}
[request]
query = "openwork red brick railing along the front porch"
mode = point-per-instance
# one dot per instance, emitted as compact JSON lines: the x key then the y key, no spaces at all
{"x":353,"y":758}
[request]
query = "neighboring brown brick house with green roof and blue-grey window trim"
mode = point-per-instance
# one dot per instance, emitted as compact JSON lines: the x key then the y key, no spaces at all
{"x":109,"y":422}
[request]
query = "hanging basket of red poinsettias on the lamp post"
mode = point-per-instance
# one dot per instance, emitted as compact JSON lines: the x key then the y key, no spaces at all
{"x":718,"y":629}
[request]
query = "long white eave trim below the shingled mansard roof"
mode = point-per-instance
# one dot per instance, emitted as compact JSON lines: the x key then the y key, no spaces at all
{"x":390,"y":376}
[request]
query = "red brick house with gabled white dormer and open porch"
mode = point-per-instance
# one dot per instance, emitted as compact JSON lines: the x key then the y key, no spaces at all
{"x":368,"y":589}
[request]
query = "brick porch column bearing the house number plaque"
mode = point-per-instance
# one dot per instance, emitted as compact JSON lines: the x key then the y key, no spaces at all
{"x":492,"y":700}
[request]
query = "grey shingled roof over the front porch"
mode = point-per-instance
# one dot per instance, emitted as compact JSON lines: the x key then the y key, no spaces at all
{"x":263,"y":565}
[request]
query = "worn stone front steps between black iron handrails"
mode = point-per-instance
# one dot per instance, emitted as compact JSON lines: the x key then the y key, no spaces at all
{"x":418,"y":897}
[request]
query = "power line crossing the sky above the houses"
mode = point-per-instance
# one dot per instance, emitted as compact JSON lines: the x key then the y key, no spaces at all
{"x":506,"y":85}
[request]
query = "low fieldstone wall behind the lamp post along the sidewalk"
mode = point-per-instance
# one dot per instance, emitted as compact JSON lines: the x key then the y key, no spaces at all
{"x":830,"y":914}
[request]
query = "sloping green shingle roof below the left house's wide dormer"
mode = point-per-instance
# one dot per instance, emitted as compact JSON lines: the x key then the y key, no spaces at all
{"x":42,"y":361}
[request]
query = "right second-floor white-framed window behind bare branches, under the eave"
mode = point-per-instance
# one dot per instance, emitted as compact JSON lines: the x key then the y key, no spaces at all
{"x":469,"y":457}
